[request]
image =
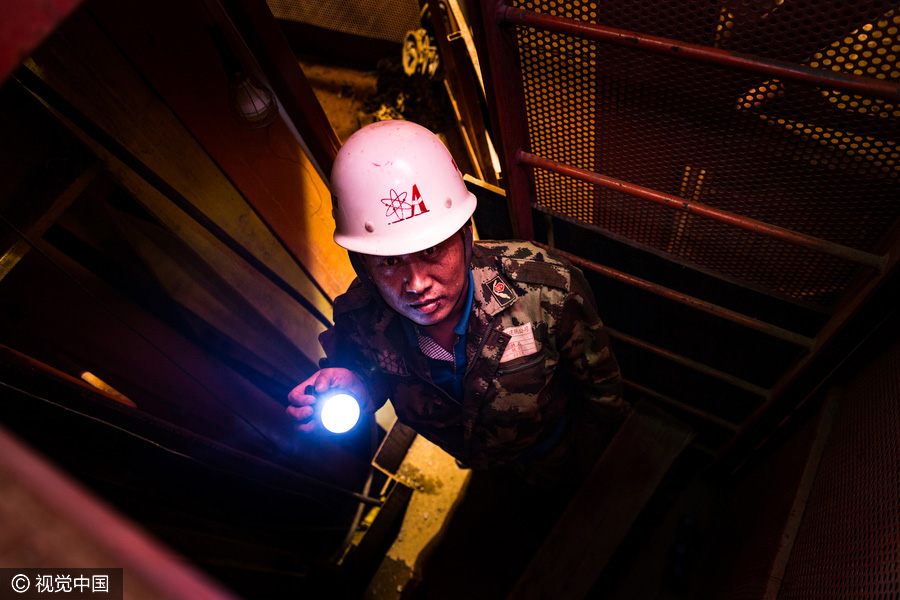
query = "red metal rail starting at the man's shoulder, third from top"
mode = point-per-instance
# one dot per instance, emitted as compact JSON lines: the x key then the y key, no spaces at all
{"x":719,"y":311}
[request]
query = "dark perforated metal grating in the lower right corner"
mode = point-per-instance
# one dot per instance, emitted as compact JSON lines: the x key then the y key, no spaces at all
{"x":848,"y":545}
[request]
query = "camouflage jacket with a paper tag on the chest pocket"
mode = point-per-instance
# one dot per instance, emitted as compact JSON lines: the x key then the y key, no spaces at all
{"x":535,"y":350}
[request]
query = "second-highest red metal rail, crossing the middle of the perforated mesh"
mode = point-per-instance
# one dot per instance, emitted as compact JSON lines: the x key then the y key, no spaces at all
{"x":703,"y":210}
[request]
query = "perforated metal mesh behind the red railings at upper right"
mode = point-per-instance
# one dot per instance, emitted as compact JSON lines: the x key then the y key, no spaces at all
{"x":816,"y":161}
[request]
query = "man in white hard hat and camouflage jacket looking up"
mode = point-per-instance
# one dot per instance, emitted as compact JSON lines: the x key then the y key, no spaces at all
{"x":491,"y":350}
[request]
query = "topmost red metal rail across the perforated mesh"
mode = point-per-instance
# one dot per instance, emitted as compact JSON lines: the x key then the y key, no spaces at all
{"x":877,"y":88}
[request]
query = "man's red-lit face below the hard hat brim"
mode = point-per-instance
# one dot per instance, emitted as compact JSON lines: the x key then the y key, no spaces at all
{"x":425,"y":287}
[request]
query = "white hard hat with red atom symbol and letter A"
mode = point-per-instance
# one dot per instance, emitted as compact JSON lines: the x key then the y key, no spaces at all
{"x":396,"y":190}
